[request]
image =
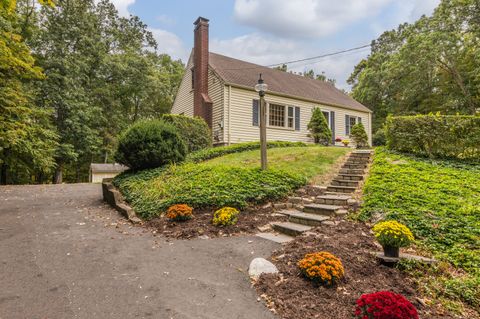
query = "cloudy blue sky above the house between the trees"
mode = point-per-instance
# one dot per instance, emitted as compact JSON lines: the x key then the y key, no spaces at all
{"x":274,"y":31}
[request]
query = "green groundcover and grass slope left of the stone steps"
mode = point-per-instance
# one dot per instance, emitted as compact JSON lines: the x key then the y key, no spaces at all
{"x":232,"y":180}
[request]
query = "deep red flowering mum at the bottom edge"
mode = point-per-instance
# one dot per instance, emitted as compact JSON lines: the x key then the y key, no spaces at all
{"x":384,"y":305}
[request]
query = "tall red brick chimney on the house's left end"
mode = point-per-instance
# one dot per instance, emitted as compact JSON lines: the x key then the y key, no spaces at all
{"x":202,"y":105}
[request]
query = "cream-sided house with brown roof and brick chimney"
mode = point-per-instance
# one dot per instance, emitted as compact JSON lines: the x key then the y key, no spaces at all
{"x":220,"y":89}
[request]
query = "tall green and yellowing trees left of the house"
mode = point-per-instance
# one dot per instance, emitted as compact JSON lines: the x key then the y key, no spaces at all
{"x":74,"y":75}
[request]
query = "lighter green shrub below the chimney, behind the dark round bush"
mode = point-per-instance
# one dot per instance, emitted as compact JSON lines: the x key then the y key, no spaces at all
{"x":194,"y":131}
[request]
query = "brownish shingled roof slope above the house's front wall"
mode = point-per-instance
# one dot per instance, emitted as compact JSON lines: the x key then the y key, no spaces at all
{"x":245,"y":74}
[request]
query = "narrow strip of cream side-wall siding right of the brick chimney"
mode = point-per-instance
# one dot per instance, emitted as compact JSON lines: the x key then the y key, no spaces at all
{"x":215,"y":92}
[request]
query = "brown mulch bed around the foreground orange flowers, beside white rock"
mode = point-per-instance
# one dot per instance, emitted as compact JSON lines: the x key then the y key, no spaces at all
{"x":293,"y":297}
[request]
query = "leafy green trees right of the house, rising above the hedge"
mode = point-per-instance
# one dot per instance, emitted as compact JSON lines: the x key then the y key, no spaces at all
{"x":432,"y":65}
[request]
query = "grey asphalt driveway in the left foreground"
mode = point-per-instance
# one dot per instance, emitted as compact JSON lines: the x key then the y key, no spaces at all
{"x":64,"y":254}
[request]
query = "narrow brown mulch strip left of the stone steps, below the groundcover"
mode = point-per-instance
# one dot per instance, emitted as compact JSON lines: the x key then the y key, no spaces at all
{"x":249,"y":222}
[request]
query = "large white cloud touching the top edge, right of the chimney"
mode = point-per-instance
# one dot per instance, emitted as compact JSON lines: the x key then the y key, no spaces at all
{"x":304,"y":18}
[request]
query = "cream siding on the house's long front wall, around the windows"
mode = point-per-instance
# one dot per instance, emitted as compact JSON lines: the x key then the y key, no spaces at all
{"x":242,"y":130}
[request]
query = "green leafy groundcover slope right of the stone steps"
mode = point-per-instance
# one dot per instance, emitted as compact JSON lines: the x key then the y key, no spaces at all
{"x":440,"y":202}
